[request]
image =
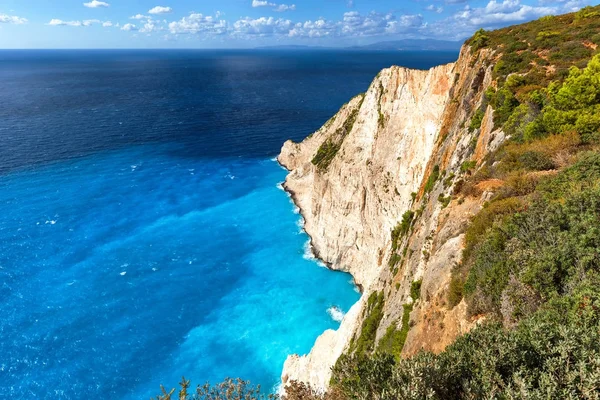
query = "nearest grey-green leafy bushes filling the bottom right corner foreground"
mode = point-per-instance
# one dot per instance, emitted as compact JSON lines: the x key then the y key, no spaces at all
{"x":555,"y":354}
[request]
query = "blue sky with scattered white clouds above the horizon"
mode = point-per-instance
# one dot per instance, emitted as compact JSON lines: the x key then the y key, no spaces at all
{"x":250,"y":23}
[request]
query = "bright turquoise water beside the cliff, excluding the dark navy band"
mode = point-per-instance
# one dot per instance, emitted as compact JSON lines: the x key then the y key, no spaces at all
{"x":174,"y":265}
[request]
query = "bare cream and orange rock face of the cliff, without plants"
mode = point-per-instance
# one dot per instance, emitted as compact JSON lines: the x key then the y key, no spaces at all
{"x":372,"y":161}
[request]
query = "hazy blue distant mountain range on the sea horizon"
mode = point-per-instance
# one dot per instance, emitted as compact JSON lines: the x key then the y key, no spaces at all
{"x":396,"y":45}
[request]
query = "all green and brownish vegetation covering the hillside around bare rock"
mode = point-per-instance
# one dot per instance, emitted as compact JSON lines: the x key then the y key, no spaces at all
{"x":531,"y":262}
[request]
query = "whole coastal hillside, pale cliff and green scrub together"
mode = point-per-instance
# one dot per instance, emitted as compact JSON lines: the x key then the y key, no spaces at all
{"x":465,"y":201}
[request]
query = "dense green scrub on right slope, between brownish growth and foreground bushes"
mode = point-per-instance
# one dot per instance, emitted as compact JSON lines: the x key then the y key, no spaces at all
{"x":543,"y":249}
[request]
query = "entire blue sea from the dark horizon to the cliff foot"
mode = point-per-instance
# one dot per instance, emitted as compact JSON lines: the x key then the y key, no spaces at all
{"x":143,"y":232}
